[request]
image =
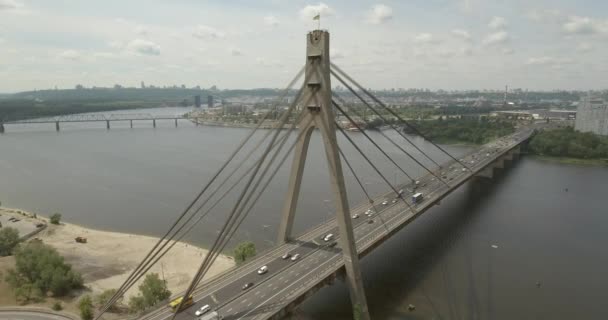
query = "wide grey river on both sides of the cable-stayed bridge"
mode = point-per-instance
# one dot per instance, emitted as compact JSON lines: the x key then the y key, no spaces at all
{"x":528,"y":245}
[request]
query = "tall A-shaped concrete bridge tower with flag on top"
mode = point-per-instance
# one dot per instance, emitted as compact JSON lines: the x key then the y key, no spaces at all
{"x":318,"y":113}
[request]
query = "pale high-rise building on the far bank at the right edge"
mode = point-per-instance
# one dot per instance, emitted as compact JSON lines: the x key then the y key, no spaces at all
{"x":592,"y":116}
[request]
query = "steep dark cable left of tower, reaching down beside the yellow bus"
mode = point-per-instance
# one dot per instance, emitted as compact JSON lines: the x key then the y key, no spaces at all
{"x":209,"y":258}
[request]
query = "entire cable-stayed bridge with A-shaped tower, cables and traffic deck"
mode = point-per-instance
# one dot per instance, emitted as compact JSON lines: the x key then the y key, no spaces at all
{"x":275,"y":282}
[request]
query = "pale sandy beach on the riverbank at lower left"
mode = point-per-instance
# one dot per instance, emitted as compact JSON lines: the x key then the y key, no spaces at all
{"x":107,"y":258}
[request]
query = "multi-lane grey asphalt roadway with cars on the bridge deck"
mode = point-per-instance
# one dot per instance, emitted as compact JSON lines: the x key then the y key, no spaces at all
{"x":287,"y":280}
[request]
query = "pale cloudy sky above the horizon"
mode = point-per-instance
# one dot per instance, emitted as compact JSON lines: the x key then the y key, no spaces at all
{"x":434,"y":44}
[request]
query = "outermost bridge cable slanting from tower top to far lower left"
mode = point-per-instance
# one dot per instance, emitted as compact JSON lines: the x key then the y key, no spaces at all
{"x":140,"y":267}
